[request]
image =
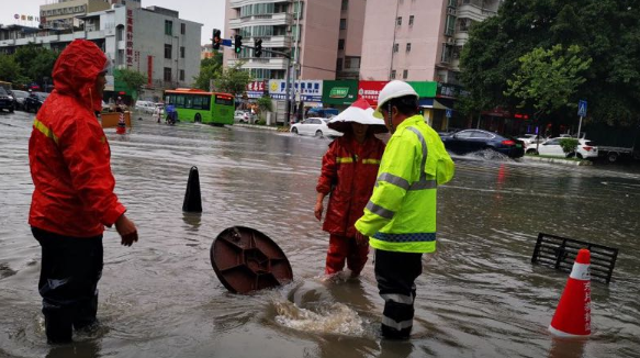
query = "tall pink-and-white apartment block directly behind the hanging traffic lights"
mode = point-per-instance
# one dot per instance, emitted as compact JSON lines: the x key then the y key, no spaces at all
{"x":323,"y":37}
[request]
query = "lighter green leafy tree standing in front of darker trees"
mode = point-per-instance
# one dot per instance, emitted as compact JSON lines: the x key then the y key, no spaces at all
{"x":547,"y":79}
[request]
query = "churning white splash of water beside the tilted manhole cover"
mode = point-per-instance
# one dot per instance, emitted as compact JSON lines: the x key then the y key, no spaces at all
{"x":334,"y":318}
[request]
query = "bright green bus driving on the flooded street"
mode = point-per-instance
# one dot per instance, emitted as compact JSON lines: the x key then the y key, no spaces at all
{"x":195,"y":105}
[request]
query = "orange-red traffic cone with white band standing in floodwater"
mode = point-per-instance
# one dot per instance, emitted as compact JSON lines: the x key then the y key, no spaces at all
{"x":573,"y":314}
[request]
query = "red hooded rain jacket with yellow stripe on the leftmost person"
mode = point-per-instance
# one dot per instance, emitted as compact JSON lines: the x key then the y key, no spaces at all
{"x":68,"y":152}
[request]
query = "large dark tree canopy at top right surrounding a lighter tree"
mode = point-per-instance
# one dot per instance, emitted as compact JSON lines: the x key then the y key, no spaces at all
{"x":607,"y":31}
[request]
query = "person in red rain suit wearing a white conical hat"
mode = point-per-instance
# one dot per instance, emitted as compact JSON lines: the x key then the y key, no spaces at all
{"x":349,"y":170}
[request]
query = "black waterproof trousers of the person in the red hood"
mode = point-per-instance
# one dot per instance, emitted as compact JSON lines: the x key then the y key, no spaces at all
{"x":71,"y":269}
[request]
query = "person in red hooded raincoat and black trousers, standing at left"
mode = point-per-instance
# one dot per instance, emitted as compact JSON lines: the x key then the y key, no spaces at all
{"x":73,"y":198}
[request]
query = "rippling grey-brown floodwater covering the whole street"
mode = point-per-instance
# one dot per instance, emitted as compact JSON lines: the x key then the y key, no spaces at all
{"x":478,"y":296}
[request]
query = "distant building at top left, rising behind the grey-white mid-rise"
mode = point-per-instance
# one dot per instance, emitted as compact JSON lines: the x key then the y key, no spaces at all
{"x":65,"y":14}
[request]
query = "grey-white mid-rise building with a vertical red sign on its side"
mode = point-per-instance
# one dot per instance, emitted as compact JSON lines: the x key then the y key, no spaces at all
{"x":152,"y":40}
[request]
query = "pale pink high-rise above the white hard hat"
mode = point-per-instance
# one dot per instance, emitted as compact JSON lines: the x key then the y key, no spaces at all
{"x":418,"y":40}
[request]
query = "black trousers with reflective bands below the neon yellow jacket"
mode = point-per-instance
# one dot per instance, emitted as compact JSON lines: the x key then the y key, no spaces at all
{"x":396,"y":273}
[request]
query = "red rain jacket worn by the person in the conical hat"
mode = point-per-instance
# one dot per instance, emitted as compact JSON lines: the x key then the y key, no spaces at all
{"x":349,"y":172}
